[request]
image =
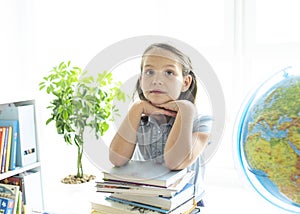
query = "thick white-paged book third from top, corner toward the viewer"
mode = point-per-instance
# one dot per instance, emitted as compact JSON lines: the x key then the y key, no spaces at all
{"x":166,"y":203}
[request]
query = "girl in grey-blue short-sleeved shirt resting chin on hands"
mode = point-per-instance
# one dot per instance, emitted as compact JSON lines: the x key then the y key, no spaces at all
{"x":163,"y":126}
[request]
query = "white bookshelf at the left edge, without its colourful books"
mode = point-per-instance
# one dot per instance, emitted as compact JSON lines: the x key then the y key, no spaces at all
{"x":27,"y":158}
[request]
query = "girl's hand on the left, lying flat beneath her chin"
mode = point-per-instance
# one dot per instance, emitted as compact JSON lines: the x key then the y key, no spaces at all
{"x":148,"y":109}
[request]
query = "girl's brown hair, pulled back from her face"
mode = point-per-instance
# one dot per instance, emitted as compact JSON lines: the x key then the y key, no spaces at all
{"x":187,"y":69}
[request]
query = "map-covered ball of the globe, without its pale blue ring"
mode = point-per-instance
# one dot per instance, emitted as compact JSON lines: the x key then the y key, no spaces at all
{"x":271,"y":139}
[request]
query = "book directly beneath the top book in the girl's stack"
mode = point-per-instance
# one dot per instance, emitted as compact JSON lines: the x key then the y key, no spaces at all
{"x":133,"y":189}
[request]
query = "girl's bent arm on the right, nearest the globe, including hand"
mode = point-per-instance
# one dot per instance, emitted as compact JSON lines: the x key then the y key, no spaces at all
{"x":183,"y":146}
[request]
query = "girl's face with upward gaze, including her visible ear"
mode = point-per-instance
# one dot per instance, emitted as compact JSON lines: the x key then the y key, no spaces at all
{"x":161,"y":79}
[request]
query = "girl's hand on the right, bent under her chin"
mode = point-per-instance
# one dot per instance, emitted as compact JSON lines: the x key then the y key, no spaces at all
{"x":179,"y":105}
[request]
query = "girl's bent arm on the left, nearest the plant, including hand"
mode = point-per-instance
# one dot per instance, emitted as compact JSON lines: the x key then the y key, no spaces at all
{"x":124,"y":141}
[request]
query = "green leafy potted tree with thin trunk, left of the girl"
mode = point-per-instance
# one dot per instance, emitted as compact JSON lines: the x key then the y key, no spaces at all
{"x":80,"y":101}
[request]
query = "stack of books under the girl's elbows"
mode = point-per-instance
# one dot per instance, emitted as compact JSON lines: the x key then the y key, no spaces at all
{"x":144,"y":187}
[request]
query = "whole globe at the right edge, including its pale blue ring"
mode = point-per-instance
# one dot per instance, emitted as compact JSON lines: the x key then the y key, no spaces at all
{"x":268,"y":140}
